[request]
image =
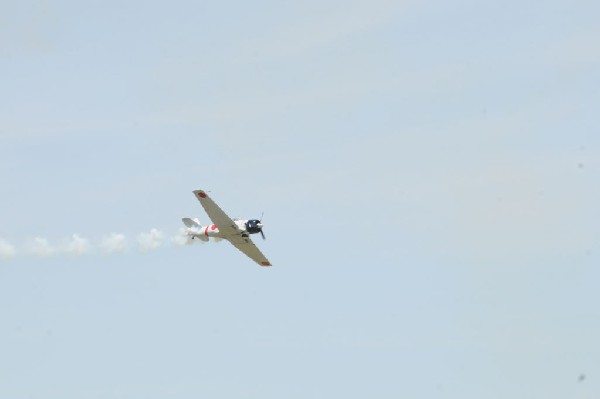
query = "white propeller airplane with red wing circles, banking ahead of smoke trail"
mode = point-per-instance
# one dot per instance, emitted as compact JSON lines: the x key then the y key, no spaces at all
{"x":236,"y":231}
